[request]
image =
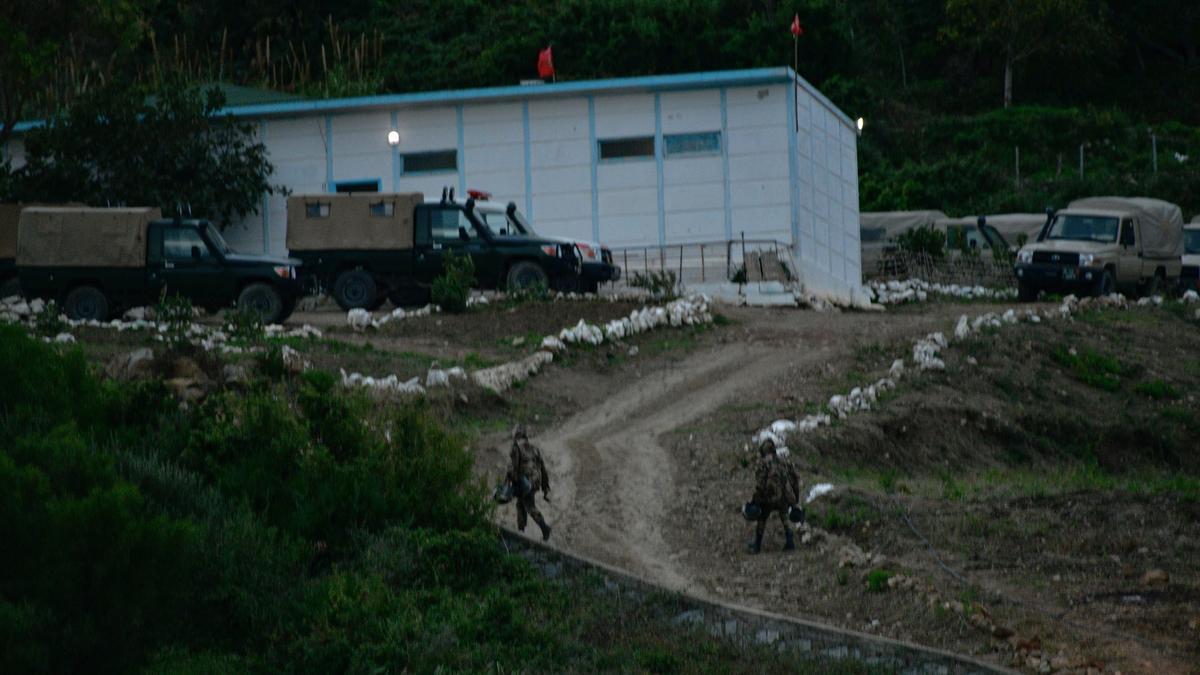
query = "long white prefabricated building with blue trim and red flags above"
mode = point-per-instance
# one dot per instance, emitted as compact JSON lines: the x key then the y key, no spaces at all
{"x":632,"y":163}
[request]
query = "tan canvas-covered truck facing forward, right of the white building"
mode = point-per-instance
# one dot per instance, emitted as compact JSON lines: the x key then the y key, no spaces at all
{"x":1102,"y":246}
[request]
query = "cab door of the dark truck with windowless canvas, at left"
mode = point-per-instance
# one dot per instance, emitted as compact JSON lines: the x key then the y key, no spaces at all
{"x":190,"y":268}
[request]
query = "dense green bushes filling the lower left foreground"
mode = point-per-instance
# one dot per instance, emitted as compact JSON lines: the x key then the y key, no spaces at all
{"x":286,"y":528}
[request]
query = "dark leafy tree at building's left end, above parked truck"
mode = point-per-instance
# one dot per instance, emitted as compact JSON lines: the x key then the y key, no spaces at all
{"x":175,"y":151}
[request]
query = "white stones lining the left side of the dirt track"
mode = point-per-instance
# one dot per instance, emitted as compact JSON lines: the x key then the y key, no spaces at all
{"x":693,"y":310}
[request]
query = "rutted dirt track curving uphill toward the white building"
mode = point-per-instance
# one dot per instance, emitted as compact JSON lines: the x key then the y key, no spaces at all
{"x":614,"y":483}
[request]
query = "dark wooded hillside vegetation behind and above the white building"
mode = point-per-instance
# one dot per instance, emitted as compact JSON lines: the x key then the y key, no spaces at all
{"x":952,"y":89}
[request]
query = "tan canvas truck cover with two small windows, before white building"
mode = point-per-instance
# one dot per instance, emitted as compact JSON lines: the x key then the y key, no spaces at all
{"x":356,"y":223}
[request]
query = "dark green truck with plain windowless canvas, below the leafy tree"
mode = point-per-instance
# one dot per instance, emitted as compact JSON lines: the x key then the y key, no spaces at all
{"x":94,"y":262}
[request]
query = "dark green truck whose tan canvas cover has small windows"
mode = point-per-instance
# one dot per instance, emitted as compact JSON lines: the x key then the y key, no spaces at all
{"x":370,"y":248}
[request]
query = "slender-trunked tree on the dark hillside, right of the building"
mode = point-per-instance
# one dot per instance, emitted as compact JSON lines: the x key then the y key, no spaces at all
{"x":1021,"y":29}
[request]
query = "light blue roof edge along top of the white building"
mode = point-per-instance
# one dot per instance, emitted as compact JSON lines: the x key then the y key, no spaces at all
{"x":656,"y":83}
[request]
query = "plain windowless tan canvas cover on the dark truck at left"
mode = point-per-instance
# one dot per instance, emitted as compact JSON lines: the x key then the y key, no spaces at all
{"x":83,"y":237}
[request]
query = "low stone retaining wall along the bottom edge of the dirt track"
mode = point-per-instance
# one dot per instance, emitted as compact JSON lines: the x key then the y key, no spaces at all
{"x":749,"y":628}
